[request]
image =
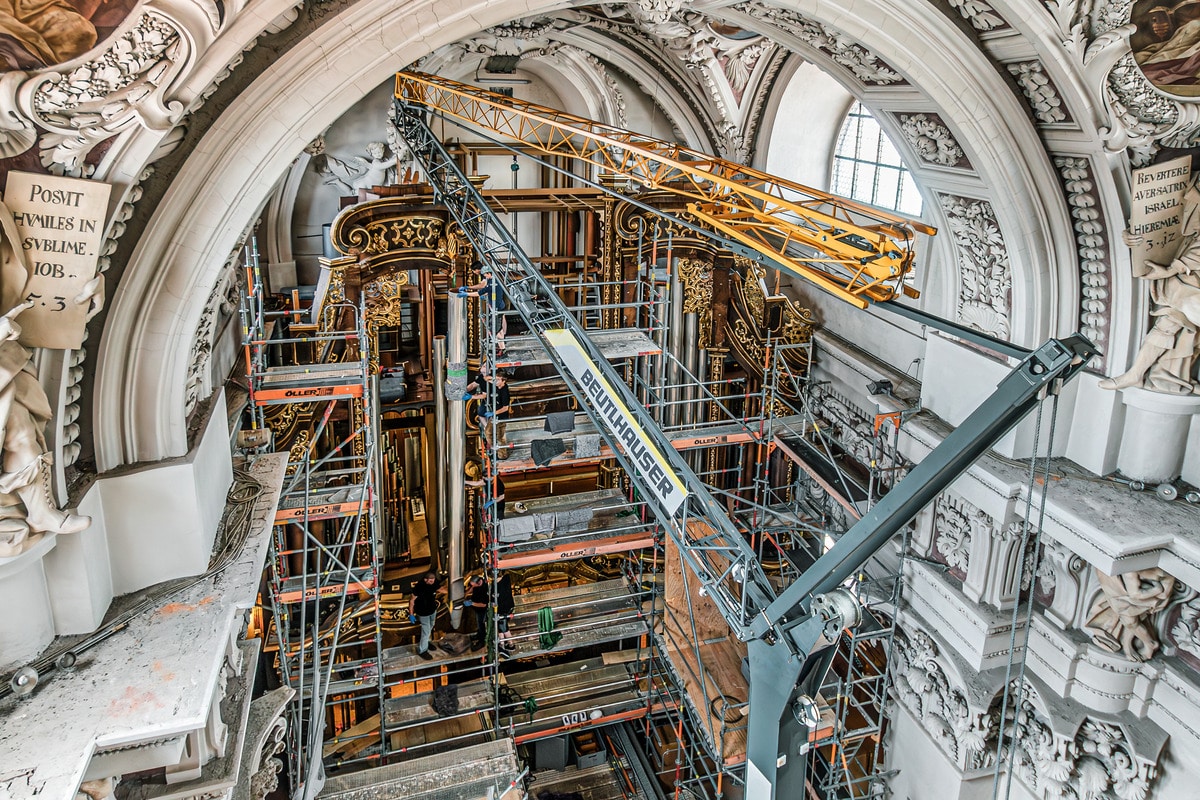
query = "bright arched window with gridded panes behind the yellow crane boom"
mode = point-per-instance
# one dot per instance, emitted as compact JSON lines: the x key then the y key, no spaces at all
{"x":868,"y":169}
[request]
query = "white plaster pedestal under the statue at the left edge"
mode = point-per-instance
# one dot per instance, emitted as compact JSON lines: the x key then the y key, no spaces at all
{"x":27,"y":625}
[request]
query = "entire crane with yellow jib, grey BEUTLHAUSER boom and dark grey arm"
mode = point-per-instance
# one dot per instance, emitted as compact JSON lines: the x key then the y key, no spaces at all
{"x":791,"y":636}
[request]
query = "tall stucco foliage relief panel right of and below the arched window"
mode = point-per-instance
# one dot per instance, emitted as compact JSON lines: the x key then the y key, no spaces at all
{"x":985,"y":272}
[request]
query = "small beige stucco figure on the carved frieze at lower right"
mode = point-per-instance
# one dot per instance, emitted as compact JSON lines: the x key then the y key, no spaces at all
{"x":1120,"y":618}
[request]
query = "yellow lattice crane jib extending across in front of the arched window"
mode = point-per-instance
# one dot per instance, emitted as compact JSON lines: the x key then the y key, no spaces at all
{"x":855,"y":251}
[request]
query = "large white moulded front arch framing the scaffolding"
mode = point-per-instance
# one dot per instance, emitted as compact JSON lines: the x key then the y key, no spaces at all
{"x":145,"y":356}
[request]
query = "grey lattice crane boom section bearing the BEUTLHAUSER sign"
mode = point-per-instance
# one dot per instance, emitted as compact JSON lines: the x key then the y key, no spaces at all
{"x":543,"y":311}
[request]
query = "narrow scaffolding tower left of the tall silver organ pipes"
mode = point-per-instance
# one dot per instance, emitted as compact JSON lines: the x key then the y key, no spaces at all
{"x":325,"y":566}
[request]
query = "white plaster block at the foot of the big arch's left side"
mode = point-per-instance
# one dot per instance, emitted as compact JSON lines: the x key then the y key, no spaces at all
{"x":163,"y":520}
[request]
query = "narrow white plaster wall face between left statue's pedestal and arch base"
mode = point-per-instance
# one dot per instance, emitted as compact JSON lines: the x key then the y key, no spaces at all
{"x":80,"y":575}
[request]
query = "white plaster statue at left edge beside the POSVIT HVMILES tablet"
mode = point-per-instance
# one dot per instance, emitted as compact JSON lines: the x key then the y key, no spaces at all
{"x":27,"y":502}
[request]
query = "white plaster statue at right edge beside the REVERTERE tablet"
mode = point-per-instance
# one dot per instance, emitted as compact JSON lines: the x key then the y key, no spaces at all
{"x":1167,"y":359}
